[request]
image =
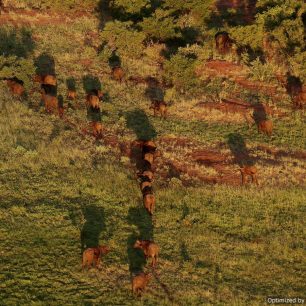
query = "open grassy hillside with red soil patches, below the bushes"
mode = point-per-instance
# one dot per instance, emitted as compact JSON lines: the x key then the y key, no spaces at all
{"x":60,"y":190}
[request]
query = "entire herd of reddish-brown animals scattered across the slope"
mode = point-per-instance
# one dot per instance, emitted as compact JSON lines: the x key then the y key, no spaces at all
{"x":48,"y":83}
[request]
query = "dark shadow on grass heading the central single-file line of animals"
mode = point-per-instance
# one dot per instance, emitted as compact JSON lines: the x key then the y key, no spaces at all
{"x":138,"y":121}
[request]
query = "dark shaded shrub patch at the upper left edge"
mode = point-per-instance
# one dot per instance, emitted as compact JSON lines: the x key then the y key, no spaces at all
{"x":16,"y":42}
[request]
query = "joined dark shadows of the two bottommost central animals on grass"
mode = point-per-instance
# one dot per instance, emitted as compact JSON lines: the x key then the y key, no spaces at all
{"x":138,"y":217}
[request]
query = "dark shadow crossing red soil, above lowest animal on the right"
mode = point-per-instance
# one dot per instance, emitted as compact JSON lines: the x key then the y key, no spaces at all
{"x":238,"y":148}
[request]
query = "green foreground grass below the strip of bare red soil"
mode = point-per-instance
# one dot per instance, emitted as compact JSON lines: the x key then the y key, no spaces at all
{"x":219,"y":245}
